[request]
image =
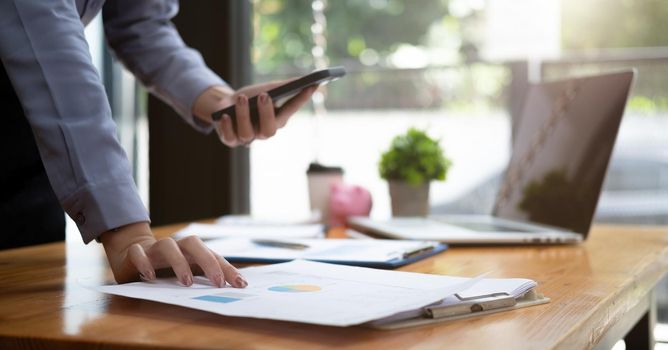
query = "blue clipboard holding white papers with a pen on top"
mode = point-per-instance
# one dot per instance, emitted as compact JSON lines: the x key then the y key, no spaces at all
{"x":377,"y":253}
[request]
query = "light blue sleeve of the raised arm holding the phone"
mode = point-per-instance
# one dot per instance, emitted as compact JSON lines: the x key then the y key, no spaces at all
{"x":142,"y":36}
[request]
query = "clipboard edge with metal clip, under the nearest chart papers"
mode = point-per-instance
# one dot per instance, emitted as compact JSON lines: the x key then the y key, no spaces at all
{"x":468,"y":308}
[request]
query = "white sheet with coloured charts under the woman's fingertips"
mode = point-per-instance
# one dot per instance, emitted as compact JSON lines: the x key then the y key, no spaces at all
{"x":305,"y":291}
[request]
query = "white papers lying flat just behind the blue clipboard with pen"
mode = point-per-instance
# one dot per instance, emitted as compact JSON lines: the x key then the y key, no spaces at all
{"x":213,"y":231}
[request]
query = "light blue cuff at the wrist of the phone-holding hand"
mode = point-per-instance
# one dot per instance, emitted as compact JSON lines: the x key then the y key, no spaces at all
{"x":185,"y":89}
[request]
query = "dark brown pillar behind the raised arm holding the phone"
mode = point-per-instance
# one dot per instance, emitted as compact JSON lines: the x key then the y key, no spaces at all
{"x":194,"y":176}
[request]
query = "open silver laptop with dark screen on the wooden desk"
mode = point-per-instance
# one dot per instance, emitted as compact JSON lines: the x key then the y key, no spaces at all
{"x":548,"y":194}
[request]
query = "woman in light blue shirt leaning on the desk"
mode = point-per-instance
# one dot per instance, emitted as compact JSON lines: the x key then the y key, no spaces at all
{"x":50,"y":90}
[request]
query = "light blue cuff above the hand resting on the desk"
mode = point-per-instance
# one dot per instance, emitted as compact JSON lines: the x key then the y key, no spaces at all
{"x":102,"y":207}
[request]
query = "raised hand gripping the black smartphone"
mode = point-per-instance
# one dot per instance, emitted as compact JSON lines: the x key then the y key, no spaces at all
{"x":271,"y":119}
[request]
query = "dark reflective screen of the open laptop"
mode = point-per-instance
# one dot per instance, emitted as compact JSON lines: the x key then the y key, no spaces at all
{"x":561,"y":150}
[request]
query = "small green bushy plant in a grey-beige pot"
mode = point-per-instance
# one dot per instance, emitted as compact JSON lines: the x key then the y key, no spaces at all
{"x":412,"y":162}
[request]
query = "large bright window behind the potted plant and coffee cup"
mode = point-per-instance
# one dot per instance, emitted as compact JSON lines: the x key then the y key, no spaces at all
{"x":408,"y":65}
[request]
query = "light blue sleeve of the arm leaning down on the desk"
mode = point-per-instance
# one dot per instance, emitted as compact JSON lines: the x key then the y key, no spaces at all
{"x":43,"y":49}
